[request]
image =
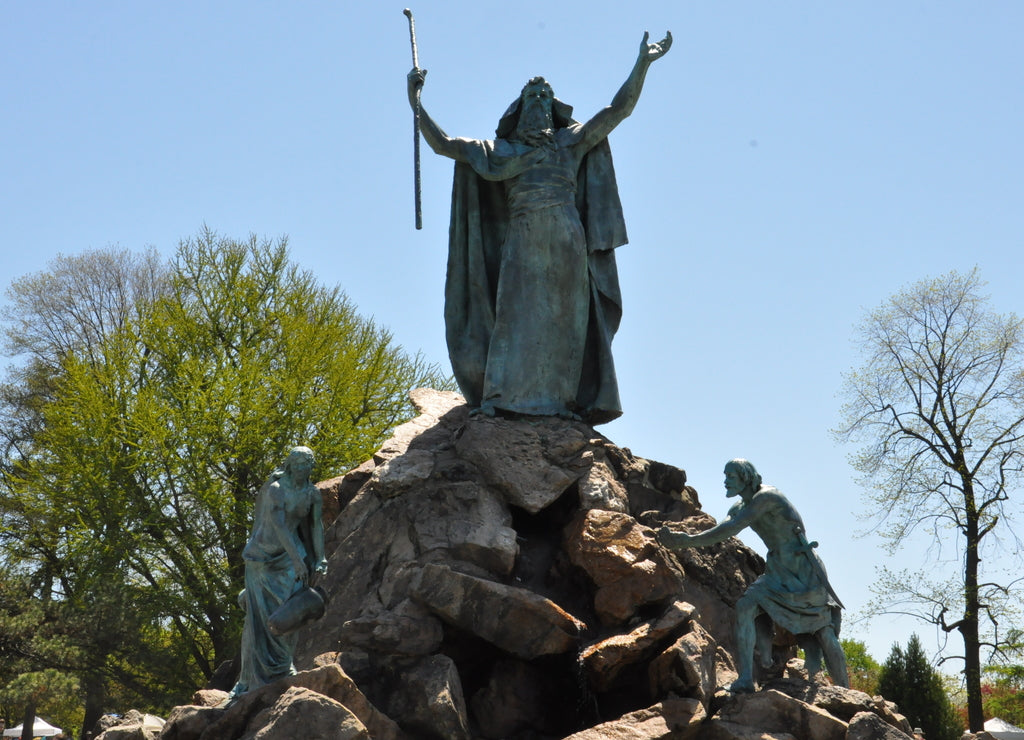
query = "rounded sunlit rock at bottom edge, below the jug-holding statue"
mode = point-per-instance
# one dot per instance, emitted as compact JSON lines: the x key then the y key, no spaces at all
{"x":302,"y":712}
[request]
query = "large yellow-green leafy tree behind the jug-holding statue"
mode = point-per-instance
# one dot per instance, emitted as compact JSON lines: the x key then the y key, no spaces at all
{"x":156,"y":433}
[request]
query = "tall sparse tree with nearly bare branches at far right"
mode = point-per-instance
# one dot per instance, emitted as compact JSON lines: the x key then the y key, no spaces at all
{"x":941,"y":405}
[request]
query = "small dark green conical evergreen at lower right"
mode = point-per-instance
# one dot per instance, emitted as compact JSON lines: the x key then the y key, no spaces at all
{"x":909,"y":679}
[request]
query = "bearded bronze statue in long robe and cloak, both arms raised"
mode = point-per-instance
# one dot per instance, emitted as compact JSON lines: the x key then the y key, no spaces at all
{"x":532,"y":295}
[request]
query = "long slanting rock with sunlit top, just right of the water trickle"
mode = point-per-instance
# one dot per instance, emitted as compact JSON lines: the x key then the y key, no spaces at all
{"x":606,"y":661}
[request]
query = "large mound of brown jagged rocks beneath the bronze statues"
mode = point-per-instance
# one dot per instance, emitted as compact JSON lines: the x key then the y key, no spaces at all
{"x":500,"y":579}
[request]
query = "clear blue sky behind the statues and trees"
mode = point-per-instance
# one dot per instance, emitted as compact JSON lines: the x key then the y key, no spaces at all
{"x":790,"y":166}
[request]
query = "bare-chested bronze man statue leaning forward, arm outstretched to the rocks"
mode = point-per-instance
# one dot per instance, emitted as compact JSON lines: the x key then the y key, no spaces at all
{"x":794,"y":592}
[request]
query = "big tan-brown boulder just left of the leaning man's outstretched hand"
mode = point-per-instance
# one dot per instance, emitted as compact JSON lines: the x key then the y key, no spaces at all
{"x":624,"y":561}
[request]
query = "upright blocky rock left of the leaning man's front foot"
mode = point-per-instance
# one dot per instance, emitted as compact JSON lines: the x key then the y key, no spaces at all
{"x":689,"y":668}
